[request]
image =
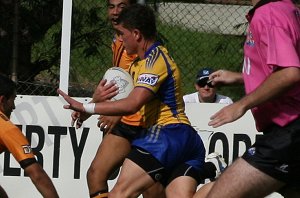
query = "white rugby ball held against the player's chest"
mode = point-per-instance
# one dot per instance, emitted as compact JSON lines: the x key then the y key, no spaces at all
{"x":122,"y":79}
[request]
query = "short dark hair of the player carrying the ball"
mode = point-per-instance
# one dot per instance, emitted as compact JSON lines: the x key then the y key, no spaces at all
{"x":139,"y":17}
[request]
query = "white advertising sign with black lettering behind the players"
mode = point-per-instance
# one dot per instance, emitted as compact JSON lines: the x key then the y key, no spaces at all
{"x":66,"y":152}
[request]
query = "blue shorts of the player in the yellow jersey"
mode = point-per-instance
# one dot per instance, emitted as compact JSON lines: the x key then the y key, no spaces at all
{"x":173,"y":144}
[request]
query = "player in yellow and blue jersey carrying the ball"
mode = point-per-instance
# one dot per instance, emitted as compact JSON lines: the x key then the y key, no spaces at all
{"x":168,"y":149}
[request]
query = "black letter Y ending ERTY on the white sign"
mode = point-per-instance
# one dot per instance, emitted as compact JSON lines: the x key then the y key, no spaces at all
{"x":78,"y":148}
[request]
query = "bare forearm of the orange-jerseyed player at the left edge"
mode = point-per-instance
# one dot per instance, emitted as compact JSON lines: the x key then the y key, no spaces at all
{"x":41,"y":180}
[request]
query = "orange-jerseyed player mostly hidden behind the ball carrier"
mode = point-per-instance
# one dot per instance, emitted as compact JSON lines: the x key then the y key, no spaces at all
{"x":119,"y":131}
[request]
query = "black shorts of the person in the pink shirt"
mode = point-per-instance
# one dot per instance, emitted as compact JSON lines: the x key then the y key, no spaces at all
{"x":277,"y":153}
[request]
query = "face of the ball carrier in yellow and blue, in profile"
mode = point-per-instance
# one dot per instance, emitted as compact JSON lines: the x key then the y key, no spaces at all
{"x":129,"y":39}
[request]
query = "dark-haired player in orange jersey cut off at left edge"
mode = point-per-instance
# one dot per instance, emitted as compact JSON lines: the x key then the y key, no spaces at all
{"x":12,"y":139}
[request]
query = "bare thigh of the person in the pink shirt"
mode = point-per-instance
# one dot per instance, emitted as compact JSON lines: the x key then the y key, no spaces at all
{"x":243,"y":180}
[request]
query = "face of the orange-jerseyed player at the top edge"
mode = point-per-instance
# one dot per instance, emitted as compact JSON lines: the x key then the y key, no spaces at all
{"x":114,"y":9}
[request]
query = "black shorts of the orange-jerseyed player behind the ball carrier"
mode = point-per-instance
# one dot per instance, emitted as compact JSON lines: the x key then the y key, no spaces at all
{"x":127,"y":131}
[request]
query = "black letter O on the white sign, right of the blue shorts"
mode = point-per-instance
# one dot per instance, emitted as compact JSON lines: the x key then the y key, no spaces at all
{"x":212,"y":145}
